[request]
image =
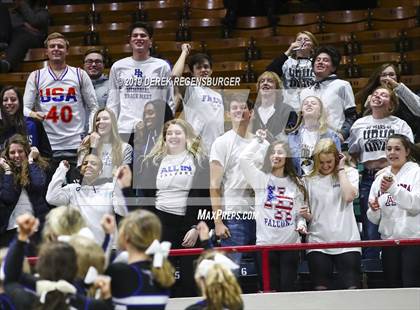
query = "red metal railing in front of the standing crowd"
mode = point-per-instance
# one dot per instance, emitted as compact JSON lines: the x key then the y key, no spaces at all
{"x":265,"y":249}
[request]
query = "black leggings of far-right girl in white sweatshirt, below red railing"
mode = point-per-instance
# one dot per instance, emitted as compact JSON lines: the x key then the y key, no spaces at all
{"x":401,"y":266}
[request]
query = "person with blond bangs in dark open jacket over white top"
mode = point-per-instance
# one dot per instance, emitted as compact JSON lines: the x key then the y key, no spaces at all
{"x":272,"y":113}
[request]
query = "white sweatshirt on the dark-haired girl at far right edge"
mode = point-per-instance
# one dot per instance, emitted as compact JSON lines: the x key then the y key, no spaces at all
{"x":399,"y":213}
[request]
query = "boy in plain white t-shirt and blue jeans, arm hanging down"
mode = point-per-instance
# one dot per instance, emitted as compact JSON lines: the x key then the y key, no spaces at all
{"x":228,"y":181}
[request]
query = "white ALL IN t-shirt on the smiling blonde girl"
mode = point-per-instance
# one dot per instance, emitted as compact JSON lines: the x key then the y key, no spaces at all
{"x":173,"y":182}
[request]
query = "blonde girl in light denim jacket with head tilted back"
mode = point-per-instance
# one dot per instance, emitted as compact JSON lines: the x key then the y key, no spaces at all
{"x":310,"y":128}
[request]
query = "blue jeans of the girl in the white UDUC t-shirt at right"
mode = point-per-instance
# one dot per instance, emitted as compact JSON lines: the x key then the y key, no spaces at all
{"x":370,"y":230}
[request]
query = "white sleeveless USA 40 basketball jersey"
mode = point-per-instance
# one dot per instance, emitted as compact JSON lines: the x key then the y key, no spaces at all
{"x":60,"y":99}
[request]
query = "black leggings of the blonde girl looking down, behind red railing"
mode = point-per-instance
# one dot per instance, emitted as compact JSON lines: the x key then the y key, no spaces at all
{"x":347,"y":265}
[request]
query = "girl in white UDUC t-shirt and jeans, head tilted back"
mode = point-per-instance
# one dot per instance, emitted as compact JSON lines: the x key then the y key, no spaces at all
{"x":367,"y":144}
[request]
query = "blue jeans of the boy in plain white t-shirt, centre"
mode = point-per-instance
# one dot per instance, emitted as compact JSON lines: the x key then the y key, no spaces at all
{"x":242,"y":232}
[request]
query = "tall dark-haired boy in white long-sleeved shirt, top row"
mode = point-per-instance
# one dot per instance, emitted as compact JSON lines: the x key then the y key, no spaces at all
{"x":131,"y":80}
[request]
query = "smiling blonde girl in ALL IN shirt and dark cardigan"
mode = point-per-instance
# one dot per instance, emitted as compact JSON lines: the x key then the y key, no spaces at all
{"x":175,"y":181}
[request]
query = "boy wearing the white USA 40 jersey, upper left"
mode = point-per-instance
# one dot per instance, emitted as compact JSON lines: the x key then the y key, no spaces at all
{"x":59,"y":95}
